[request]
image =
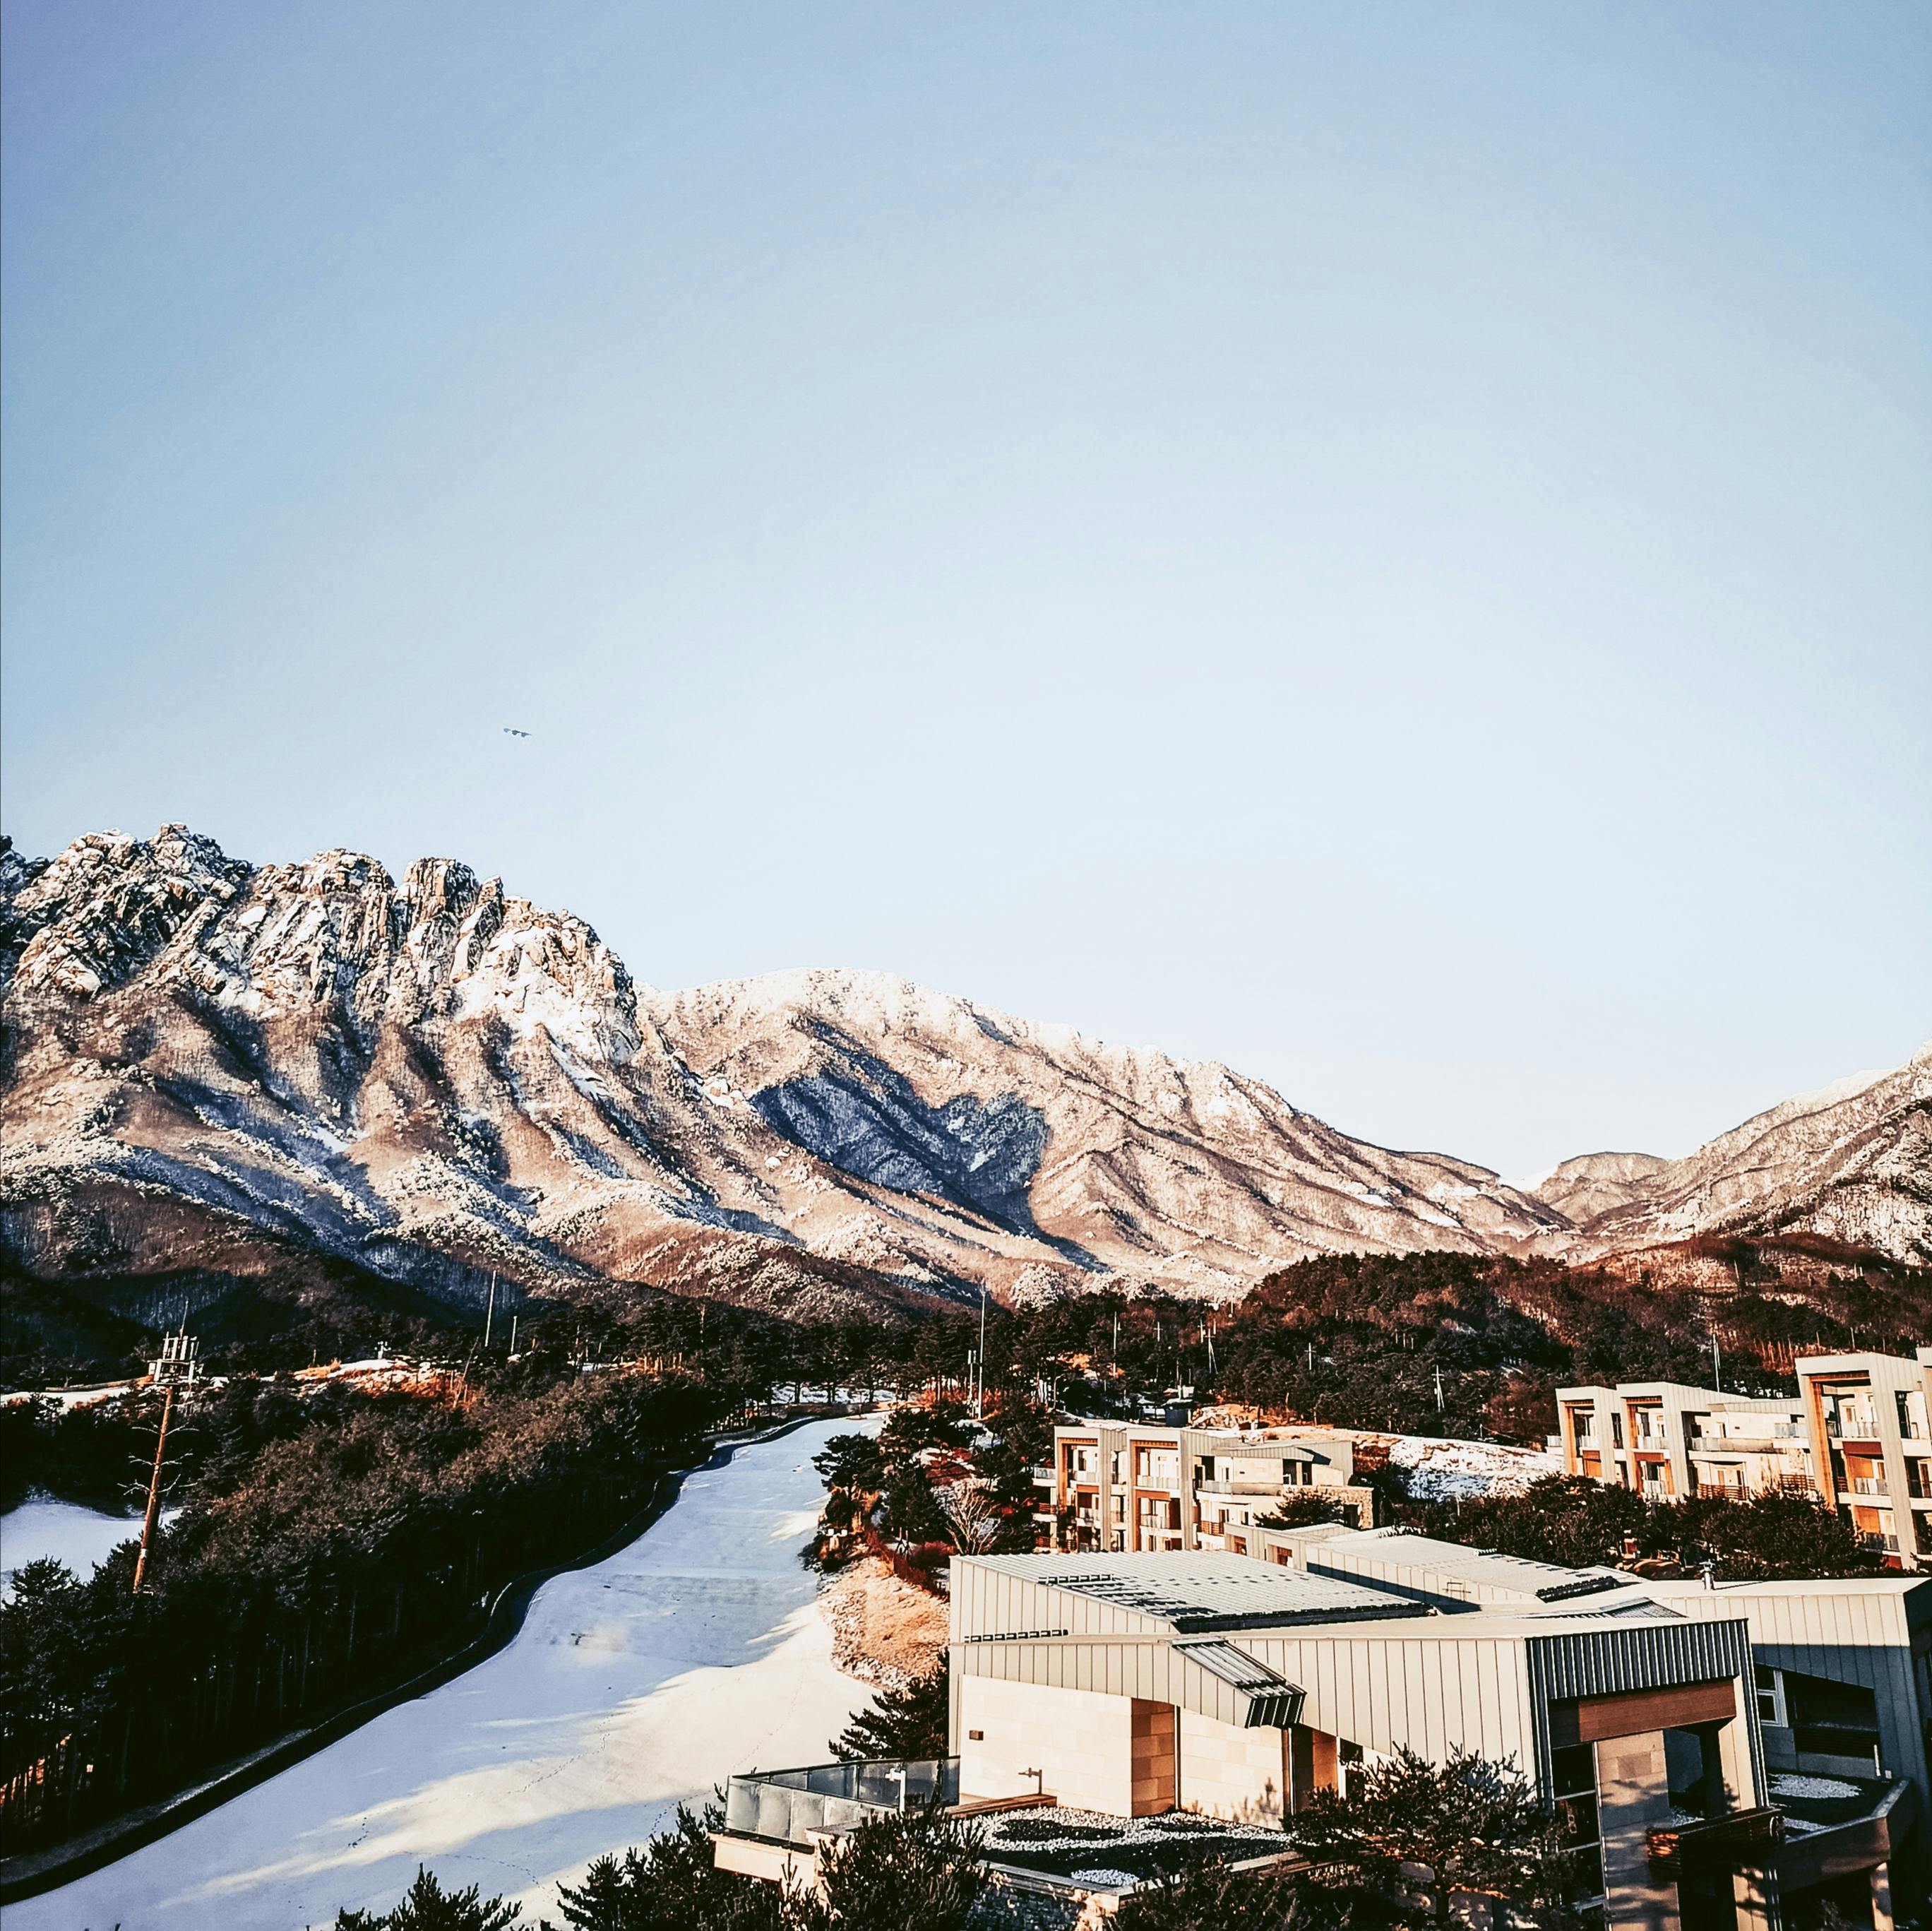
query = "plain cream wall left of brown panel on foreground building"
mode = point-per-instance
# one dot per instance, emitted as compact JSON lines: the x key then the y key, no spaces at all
{"x":1081,"y":1743}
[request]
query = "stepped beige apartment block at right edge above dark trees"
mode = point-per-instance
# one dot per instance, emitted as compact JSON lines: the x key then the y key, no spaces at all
{"x":1858,"y":1435}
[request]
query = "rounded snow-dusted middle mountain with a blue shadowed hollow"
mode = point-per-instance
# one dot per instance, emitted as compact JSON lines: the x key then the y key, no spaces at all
{"x":982,"y":1145}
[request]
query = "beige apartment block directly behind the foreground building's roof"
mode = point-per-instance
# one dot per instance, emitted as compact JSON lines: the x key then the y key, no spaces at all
{"x":1143,"y":1487}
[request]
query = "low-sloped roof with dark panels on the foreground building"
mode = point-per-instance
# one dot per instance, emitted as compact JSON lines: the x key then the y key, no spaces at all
{"x":1205,"y":1590}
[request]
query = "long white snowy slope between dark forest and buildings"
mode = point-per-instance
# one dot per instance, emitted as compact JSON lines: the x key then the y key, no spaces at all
{"x":633,"y":1686}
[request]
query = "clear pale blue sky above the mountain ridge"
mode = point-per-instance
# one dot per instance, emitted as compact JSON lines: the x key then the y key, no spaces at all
{"x":1380,"y":544}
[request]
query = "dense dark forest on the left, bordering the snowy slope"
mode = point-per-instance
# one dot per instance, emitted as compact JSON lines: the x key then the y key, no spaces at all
{"x":327,"y":1545}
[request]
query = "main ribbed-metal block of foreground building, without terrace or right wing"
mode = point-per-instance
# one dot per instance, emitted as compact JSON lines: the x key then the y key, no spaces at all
{"x":1237,"y":1688}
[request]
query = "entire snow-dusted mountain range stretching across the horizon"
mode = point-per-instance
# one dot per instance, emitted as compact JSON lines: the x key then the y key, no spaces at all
{"x":212,"y":1062}
